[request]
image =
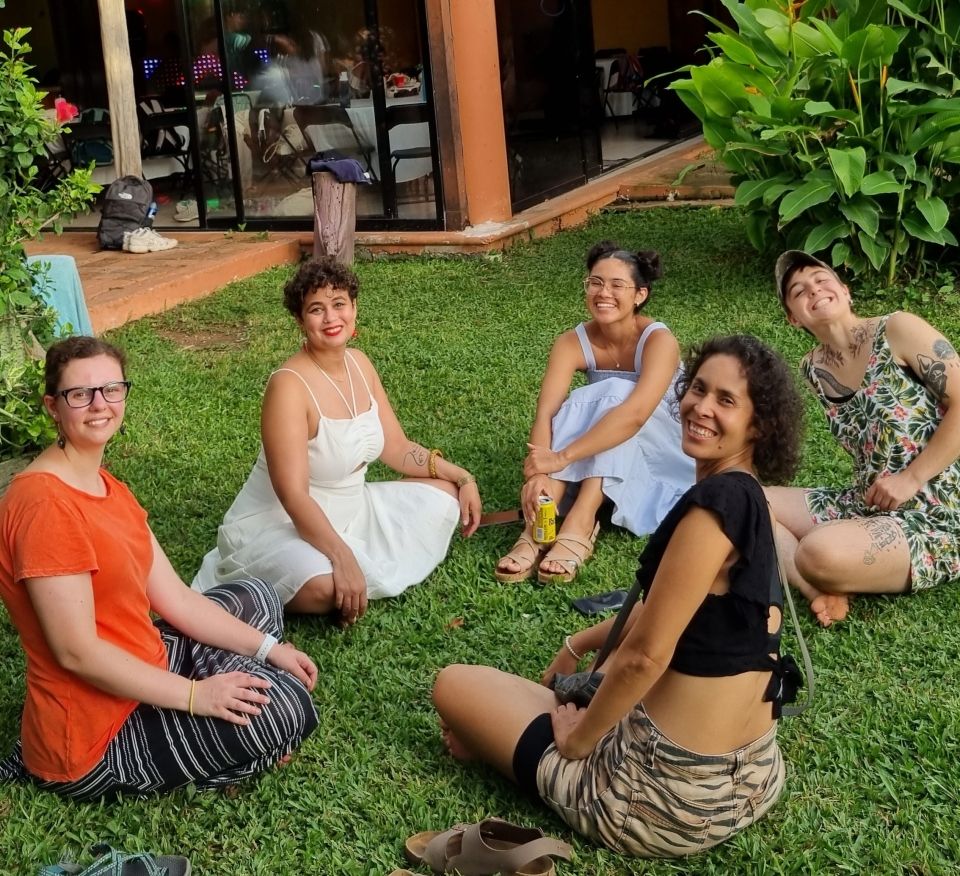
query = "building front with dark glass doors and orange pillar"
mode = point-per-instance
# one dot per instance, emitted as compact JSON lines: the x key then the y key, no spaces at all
{"x":461,"y":112}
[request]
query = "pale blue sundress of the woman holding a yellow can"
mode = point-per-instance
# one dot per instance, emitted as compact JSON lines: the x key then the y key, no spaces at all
{"x":646,"y":474}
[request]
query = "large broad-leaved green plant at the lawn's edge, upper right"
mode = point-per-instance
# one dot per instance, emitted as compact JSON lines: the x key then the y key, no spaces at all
{"x":841,"y":123}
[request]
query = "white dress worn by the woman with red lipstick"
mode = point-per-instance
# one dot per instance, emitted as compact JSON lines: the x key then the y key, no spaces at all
{"x":398,"y":531}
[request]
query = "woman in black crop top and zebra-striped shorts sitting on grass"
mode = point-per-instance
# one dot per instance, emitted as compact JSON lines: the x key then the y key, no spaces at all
{"x":677,"y":751}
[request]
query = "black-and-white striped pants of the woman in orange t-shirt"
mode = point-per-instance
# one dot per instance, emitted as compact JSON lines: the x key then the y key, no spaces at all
{"x":158,"y":750}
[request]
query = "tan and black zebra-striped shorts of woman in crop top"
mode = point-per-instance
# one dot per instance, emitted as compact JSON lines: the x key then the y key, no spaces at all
{"x":641,"y":794}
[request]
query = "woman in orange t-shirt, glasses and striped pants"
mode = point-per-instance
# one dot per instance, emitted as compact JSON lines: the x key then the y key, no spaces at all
{"x":117,"y":703}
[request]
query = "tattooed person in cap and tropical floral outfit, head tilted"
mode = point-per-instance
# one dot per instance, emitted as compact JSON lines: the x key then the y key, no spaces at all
{"x":887,"y":385}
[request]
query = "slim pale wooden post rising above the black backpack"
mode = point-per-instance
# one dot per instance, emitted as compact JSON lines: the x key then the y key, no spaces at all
{"x":124,"y":126}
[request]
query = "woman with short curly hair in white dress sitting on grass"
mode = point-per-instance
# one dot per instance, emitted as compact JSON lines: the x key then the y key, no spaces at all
{"x":306,"y":520}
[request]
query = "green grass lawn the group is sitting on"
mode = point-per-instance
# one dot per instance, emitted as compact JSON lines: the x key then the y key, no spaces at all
{"x":873,"y":768}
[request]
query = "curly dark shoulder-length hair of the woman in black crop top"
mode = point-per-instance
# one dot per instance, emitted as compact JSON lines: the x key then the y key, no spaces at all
{"x":777,"y":408}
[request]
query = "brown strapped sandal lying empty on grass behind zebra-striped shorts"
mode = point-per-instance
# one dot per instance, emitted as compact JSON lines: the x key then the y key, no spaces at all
{"x":491,"y":846}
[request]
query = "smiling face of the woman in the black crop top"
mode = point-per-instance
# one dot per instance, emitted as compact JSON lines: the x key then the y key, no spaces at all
{"x":716,"y":416}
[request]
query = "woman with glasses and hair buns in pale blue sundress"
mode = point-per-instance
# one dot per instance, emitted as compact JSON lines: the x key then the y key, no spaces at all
{"x":616,"y":438}
